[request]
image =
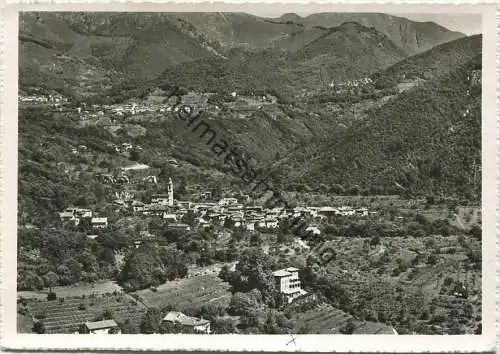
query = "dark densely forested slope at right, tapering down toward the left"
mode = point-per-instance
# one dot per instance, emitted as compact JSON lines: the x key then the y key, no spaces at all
{"x":425,"y":141}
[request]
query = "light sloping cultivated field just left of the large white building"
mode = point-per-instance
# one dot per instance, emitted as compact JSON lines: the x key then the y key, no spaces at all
{"x":187,"y":293}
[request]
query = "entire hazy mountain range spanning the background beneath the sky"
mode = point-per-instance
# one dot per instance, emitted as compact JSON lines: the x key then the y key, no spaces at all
{"x":94,"y":52}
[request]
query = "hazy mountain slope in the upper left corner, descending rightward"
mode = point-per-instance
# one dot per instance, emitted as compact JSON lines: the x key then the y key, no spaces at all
{"x":115,"y":46}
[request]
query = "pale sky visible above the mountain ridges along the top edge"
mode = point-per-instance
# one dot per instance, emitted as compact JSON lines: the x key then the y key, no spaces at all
{"x":466,"y":23}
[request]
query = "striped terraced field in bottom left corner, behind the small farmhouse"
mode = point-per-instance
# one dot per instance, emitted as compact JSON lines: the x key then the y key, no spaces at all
{"x":66,"y":316}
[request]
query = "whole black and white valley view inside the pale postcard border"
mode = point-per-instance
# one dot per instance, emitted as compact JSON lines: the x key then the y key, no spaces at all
{"x":257,"y":172}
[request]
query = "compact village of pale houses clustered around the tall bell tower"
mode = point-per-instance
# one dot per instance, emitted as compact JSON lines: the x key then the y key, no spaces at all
{"x":228,"y":212}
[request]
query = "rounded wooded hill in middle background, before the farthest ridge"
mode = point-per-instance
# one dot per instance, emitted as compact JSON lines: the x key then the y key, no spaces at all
{"x":345,"y":52}
